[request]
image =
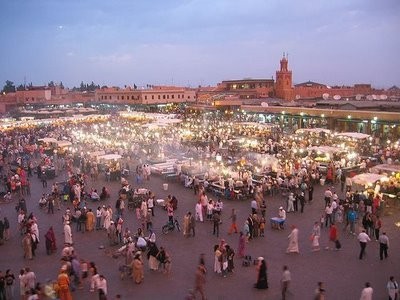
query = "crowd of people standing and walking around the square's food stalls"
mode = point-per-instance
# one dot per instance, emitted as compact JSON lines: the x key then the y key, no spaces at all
{"x":294,"y":182}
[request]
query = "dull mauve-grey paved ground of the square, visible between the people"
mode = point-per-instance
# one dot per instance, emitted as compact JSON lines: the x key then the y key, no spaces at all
{"x":343,"y":273}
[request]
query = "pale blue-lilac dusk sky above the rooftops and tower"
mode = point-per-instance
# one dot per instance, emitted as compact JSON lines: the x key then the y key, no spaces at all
{"x":199,"y":42}
